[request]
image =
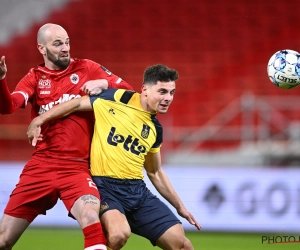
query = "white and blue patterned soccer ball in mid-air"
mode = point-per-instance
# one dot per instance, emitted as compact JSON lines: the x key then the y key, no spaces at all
{"x":284,"y":69}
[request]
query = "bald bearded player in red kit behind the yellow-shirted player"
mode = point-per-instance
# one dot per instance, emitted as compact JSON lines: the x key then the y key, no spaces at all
{"x":59,"y":167}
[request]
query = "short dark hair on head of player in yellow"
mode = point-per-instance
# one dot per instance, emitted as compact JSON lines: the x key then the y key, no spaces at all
{"x":159,"y":72}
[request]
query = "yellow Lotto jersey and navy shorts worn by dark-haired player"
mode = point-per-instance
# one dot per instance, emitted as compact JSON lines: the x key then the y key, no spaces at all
{"x":123,"y":134}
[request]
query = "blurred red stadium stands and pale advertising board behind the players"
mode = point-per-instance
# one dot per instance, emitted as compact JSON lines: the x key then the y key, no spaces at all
{"x":231,"y":137}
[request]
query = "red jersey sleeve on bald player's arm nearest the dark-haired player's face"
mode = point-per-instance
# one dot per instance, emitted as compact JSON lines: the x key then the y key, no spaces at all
{"x":98,"y":71}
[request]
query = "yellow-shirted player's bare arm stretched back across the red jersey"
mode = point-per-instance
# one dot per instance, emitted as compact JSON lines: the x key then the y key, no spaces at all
{"x":58,"y":111}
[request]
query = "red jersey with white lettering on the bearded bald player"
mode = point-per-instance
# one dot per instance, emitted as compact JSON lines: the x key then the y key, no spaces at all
{"x":70,"y":137}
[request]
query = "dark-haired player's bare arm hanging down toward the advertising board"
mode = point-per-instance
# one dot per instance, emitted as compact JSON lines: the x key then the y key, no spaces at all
{"x":163,"y":185}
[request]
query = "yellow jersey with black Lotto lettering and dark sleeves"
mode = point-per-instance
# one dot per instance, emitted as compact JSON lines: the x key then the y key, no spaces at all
{"x":123,"y":134}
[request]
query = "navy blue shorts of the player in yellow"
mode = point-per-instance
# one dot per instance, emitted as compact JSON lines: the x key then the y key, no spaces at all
{"x":147,"y":215}
